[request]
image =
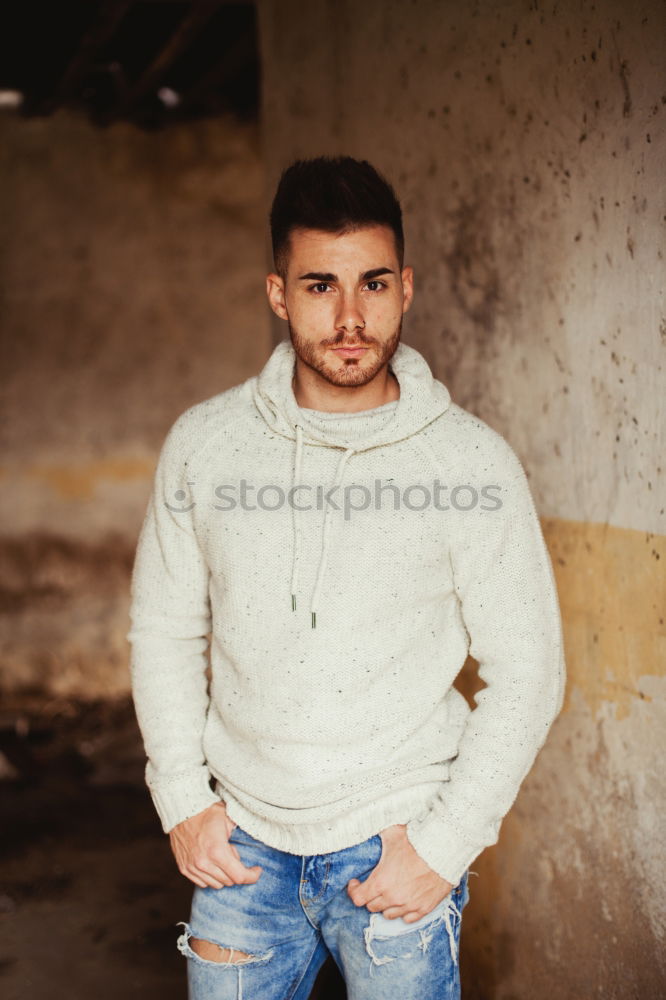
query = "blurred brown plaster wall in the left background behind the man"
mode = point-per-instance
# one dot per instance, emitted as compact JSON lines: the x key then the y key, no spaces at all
{"x":132,"y":275}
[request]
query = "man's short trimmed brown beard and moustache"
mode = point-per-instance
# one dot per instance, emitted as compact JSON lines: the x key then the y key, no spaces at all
{"x":347,"y":371}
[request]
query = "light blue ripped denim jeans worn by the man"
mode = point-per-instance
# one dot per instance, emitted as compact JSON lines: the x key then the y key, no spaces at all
{"x":298,"y":913}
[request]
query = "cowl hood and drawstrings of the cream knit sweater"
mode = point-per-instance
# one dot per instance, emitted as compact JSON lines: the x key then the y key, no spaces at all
{"x":422,"y":399}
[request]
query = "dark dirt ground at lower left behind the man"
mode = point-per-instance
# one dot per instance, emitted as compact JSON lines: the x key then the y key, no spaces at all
{"x":89,"y":893}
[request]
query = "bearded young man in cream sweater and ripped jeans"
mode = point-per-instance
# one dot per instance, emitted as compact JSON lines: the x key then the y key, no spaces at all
{"x":347,"y":535}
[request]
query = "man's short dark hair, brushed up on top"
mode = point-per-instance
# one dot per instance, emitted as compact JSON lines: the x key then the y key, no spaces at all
{"x":336,"y":194}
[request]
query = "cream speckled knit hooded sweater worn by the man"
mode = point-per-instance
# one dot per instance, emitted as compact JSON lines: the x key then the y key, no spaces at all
{"x":336,"y":630}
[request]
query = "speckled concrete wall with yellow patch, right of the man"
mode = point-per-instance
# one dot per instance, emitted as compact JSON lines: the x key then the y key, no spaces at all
{"x":527,"y":142}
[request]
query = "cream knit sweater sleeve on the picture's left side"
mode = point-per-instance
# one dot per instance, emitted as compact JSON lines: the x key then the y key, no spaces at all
{"x":170,"y":621}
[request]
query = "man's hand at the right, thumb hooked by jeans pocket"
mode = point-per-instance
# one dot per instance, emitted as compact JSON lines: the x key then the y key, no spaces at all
{"x":402,"y":884}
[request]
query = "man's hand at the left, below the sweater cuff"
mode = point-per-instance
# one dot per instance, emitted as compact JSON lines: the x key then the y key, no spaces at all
{"x":203,"y":853}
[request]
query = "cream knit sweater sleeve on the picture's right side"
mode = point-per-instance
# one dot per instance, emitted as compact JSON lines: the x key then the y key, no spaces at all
{"x":508,"y":600}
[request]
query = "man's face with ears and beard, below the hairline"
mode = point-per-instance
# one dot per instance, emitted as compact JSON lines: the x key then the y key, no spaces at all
{"x":344,"y":298}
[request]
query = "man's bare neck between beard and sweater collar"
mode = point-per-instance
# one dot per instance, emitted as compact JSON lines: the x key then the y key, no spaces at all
{"x":315,"y":393}
